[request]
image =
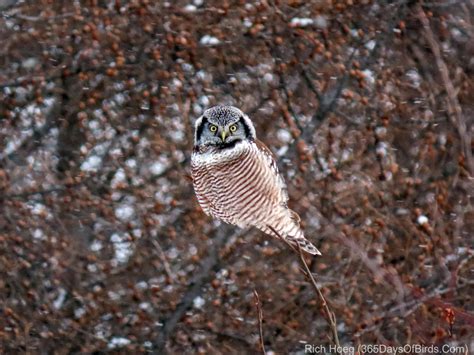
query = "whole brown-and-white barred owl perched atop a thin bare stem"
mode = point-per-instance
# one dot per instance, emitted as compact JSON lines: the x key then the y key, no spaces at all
{"x":236,"y":177}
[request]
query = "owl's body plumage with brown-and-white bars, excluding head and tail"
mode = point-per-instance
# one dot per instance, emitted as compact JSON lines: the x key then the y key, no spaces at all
{"x":239,"y":185}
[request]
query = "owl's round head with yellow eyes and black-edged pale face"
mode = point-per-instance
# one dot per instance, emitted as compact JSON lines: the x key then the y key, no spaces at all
{"x":223,"y":126}
